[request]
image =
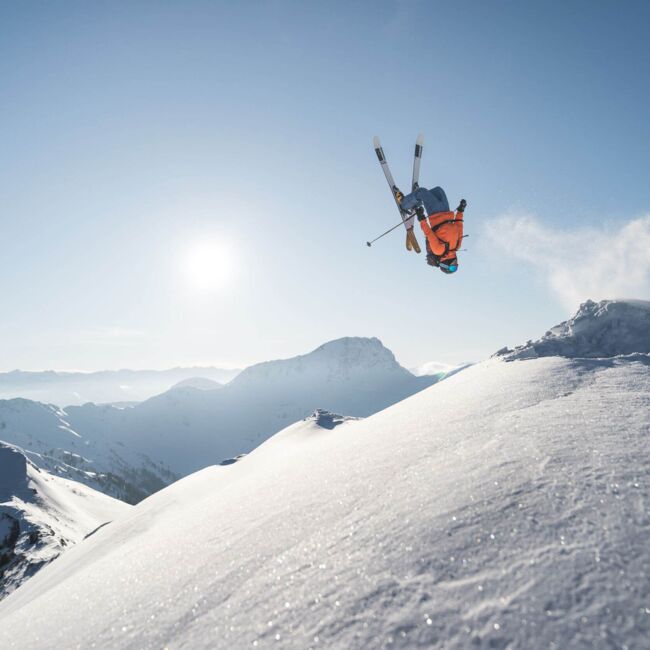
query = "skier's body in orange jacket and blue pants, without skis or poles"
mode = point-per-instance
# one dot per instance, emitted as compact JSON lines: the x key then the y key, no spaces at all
{"x":443,"y":229}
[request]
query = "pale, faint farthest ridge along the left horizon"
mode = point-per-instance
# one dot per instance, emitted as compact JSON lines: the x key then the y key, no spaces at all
{"x":107,"y":386}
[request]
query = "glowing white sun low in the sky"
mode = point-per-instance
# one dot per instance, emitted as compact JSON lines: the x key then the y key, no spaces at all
{"x":208,"y":265}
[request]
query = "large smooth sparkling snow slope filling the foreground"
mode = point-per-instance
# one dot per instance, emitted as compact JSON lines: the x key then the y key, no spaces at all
{"x":506,"y":507}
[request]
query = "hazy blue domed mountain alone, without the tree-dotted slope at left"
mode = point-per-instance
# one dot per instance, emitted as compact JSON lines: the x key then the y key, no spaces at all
{"x":190,"y":429}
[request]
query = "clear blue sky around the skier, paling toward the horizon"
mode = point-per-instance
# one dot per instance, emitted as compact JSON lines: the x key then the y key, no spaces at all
{"x":133,"y":130}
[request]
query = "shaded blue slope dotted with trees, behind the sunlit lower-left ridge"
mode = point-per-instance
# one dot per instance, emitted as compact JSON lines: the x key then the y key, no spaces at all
{"x":44,"y":433}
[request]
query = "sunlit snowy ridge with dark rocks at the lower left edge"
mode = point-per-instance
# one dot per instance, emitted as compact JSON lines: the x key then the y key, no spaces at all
{"x":41,"y":515}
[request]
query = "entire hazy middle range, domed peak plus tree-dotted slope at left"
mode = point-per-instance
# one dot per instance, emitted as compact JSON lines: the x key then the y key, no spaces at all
{"x":130,"y":452}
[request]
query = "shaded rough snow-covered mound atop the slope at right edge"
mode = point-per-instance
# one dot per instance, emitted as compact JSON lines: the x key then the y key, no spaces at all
{"x":598,"y":330}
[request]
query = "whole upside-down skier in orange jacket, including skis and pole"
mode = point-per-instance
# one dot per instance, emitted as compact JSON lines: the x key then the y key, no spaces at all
{"x":443,"y":229}
